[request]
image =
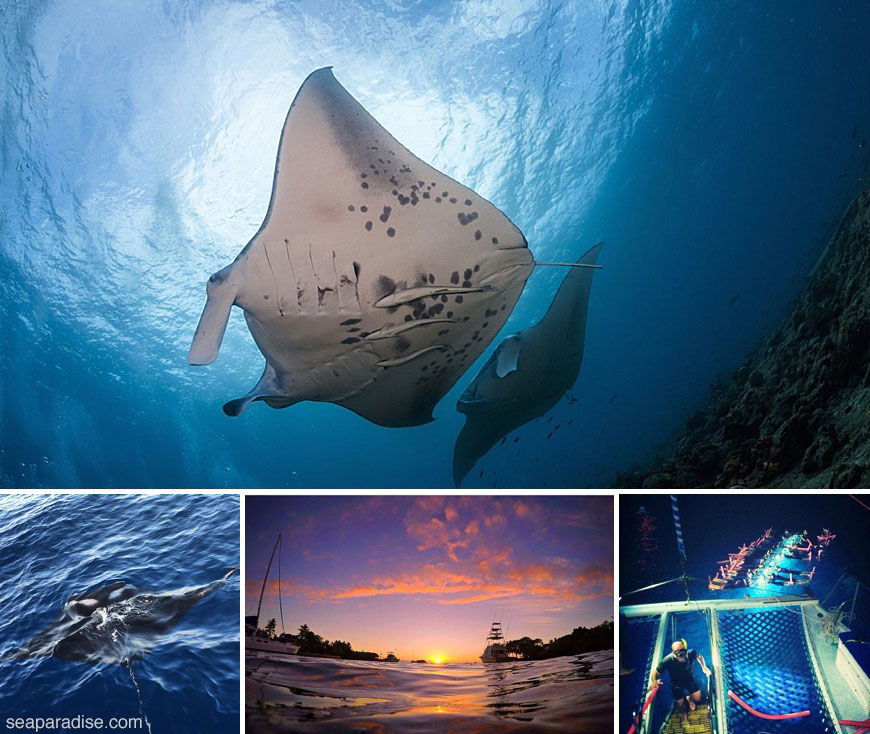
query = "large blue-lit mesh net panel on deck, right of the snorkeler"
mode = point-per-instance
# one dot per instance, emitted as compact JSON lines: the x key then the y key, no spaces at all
{"x":767,"y":664}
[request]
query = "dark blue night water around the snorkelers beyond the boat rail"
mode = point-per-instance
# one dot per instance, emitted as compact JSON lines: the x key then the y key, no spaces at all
{"x":715,"y":525}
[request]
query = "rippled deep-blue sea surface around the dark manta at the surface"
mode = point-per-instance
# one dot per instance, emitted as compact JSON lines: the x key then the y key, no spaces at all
{"x":55,"y":546}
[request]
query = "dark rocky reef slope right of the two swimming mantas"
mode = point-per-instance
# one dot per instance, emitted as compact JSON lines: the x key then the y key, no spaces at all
{"x":797,"y":412}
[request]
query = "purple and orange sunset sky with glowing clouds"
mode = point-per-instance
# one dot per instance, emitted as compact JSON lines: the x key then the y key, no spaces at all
{"x":425,"y":576}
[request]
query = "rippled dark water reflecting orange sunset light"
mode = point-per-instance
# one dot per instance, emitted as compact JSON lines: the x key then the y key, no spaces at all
{"x":301,"y":694}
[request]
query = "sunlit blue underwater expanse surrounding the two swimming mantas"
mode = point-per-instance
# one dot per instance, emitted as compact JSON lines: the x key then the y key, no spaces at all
{"x":712,"y":146}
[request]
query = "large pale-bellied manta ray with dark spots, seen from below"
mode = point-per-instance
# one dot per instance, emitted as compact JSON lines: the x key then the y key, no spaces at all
{"x":374,"y":281}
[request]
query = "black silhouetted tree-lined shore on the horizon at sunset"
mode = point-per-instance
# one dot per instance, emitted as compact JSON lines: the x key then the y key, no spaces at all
{"x":580,"y":640}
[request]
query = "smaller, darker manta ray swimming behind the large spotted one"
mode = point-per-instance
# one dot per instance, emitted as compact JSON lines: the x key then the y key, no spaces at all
{"x":528,"y":373}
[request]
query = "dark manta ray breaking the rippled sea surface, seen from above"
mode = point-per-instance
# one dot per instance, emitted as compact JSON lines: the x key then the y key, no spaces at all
{"x":117,"y":623}
